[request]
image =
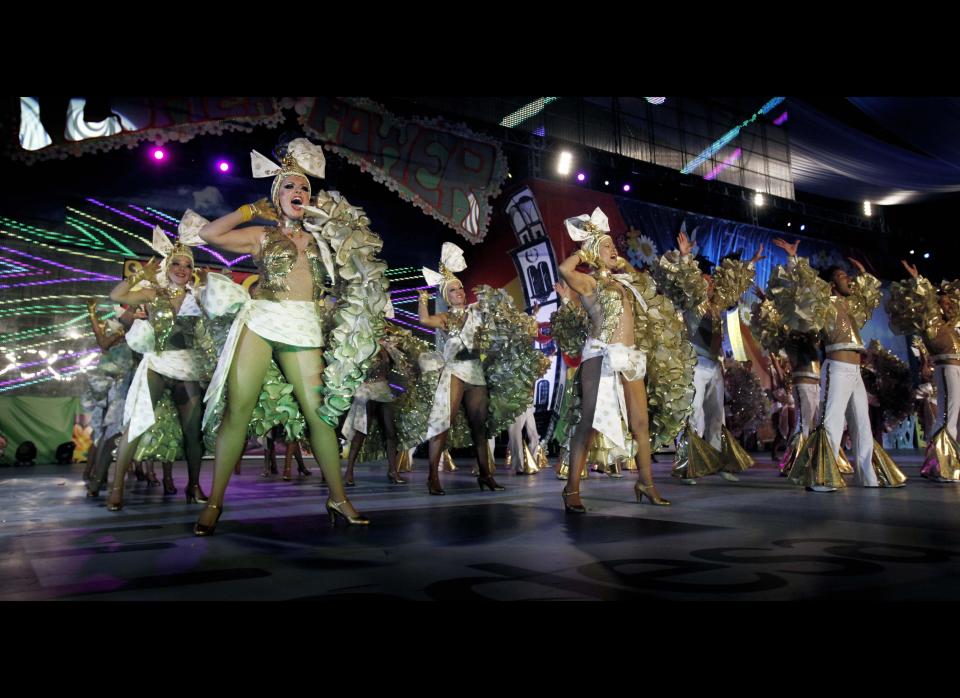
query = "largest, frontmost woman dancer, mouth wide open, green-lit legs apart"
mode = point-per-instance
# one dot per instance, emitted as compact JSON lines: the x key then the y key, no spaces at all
{"x":288,"y":319}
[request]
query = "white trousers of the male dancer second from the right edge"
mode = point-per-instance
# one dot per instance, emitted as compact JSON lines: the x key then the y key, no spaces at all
{"x":845,"y":399}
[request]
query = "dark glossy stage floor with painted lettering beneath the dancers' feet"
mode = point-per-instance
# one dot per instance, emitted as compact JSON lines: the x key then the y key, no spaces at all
{"x":759,"y":539}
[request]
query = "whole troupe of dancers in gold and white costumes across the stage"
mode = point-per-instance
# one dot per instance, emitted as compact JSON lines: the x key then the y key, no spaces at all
{"x":649,"y":344}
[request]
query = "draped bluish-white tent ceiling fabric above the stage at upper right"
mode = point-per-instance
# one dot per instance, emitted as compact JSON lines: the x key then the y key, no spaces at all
{"x":830,"y":158}
